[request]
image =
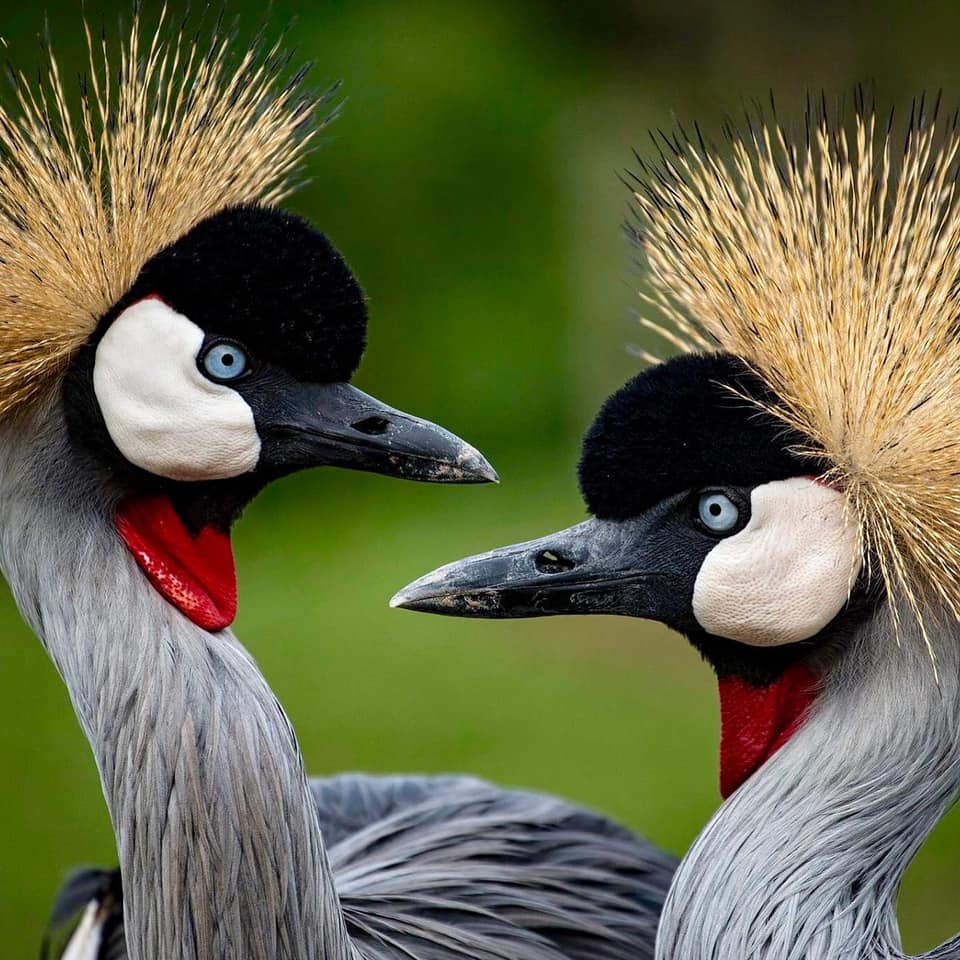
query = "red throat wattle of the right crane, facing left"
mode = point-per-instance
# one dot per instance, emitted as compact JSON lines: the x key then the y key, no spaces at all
{"x":756,"y":721}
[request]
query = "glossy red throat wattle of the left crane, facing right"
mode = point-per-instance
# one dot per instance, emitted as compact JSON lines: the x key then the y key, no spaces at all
{"x":194,"y":573}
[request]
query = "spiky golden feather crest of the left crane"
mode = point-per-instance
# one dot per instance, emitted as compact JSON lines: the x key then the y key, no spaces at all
{"x":167,"y":133}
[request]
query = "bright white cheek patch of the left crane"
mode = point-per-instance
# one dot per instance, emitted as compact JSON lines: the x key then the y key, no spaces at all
{"x":163,"y":414}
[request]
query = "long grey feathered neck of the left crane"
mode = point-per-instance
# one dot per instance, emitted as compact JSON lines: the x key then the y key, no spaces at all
{"x":217,"y":833}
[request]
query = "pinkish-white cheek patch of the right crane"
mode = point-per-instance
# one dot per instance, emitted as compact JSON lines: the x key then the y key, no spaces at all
{"x":787,"y":574}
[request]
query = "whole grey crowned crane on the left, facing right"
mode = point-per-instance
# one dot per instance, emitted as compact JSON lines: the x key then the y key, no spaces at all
{"x":170,"y":342}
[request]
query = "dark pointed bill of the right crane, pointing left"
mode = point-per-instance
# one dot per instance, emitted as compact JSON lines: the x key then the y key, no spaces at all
{"x":598,"y":567}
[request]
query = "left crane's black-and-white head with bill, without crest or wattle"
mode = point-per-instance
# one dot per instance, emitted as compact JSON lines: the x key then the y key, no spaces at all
{"x":229,"y":360}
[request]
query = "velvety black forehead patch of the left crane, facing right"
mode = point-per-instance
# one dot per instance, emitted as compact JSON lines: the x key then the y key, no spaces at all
{"x":270,"y":280}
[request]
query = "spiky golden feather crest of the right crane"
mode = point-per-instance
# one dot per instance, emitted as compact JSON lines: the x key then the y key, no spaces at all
{"x":832,"y":266}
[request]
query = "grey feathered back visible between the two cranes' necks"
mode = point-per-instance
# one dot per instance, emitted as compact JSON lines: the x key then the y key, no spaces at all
{"x":453,"y":867}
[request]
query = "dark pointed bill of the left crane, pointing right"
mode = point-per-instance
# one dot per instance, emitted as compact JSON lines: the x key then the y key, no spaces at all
{"x":338,"y":425}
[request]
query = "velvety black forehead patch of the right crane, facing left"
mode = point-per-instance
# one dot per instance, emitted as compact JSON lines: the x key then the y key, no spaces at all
{"x":682,"y":425}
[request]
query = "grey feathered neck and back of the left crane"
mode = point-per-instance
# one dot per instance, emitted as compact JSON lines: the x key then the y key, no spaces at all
{"x":217,"y":827}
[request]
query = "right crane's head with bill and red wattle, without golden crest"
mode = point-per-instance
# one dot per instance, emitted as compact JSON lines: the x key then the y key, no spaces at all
{"x":710,"y":516}
